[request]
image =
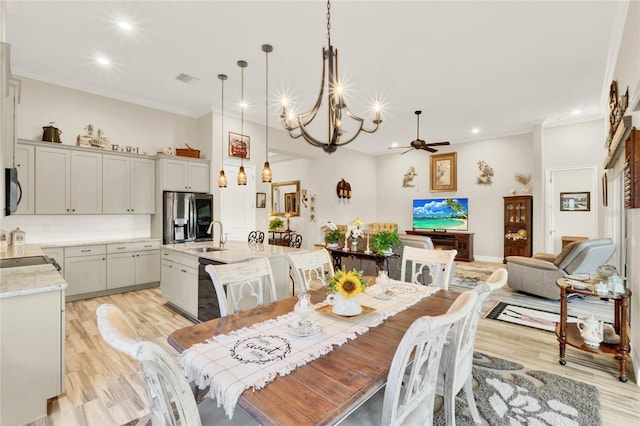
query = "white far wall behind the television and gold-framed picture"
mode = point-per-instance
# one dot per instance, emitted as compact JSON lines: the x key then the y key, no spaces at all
{"x":507,"y":155}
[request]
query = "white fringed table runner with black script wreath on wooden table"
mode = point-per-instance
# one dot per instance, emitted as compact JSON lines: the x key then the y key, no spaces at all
{"x":253,"y":356}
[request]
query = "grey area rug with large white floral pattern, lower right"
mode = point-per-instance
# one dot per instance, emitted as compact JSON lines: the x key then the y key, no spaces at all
{"x":508,"y":394}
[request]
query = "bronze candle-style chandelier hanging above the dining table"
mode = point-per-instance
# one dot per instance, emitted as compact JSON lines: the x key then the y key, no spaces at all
{"x":297,"y":124}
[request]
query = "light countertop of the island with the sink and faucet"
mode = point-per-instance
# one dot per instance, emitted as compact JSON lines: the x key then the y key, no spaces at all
{"x":233,"y":251}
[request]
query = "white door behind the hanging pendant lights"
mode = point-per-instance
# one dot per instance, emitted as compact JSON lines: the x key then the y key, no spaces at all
{"x":237,"y":203}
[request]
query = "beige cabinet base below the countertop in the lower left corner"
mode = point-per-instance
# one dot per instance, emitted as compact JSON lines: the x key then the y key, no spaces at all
{"x":32,"y":362}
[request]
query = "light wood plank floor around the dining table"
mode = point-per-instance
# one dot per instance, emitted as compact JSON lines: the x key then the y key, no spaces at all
{"x":104,"y":387}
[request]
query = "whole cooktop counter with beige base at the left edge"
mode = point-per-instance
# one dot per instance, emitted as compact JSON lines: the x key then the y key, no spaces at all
{"x":32,"y":338}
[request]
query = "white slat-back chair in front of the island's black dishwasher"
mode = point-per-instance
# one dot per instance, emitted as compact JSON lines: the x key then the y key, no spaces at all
{"x":243,"y":285}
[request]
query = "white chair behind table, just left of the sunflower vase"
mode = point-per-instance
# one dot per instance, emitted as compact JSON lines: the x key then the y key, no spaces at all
{"x":309,"y":269}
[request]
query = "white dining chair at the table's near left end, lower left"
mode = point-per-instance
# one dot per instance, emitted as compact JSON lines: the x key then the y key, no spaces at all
{"x":171,"y":399}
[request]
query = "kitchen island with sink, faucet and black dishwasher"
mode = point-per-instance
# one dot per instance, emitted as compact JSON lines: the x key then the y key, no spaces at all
{"x":187,"y":286}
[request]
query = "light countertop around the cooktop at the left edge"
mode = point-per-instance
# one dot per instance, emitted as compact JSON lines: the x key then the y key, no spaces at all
{"x":25,"y":280}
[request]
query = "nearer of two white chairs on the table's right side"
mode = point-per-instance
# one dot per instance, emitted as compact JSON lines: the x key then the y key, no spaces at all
{"x":409,"y":395}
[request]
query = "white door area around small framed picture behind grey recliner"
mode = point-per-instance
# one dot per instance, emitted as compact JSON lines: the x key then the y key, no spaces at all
{"x":575,"y":223}
